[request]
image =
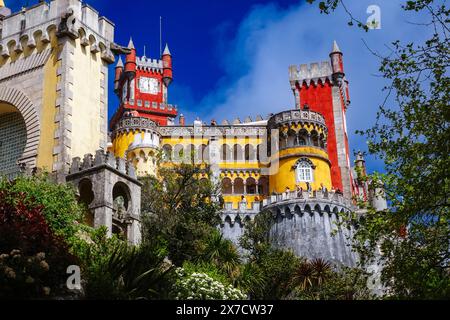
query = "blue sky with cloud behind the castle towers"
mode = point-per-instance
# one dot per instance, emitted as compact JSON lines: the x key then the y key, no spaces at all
{"x":231,"y":57}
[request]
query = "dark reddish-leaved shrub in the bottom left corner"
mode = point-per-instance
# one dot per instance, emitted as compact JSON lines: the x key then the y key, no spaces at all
{"x":29,"y":249}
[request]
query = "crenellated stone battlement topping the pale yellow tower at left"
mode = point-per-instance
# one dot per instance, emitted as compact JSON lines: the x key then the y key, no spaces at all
{"x":68,"y":17}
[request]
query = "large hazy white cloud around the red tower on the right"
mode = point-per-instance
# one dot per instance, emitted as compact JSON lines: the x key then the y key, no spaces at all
{"x":271,"y":38}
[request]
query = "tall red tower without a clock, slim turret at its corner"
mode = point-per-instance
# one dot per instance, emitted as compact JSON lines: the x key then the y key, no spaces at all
{"x":322,"y":87}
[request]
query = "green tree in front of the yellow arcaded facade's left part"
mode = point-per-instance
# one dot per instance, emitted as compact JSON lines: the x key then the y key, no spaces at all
{"x":179,"y":211}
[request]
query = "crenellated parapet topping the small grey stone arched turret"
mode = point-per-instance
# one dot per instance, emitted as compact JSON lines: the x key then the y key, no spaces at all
{"x":102,"y":159}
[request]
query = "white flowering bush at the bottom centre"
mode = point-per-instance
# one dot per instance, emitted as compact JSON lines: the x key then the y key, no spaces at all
{"x":200,"y":286}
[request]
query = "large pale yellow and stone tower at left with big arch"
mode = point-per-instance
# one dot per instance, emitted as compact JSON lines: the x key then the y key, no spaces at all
{"x":53,"y":85}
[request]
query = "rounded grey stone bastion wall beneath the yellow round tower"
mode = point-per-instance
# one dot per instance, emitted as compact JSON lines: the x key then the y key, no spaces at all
{"x":307,"y":225}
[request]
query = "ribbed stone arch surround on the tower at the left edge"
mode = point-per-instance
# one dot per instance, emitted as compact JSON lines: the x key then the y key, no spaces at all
{"x":22,"y":103}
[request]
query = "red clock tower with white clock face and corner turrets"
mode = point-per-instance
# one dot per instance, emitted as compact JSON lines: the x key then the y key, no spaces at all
{"x":142,"y":85}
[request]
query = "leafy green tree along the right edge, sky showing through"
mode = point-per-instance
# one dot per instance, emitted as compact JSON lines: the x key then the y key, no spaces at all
{"x":412,"y":136}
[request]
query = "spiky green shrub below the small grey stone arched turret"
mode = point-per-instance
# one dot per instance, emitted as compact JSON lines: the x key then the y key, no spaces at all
{"x":112,"y":269}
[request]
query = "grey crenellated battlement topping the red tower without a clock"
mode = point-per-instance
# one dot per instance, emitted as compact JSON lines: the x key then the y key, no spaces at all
{"x":310,"y":72}
